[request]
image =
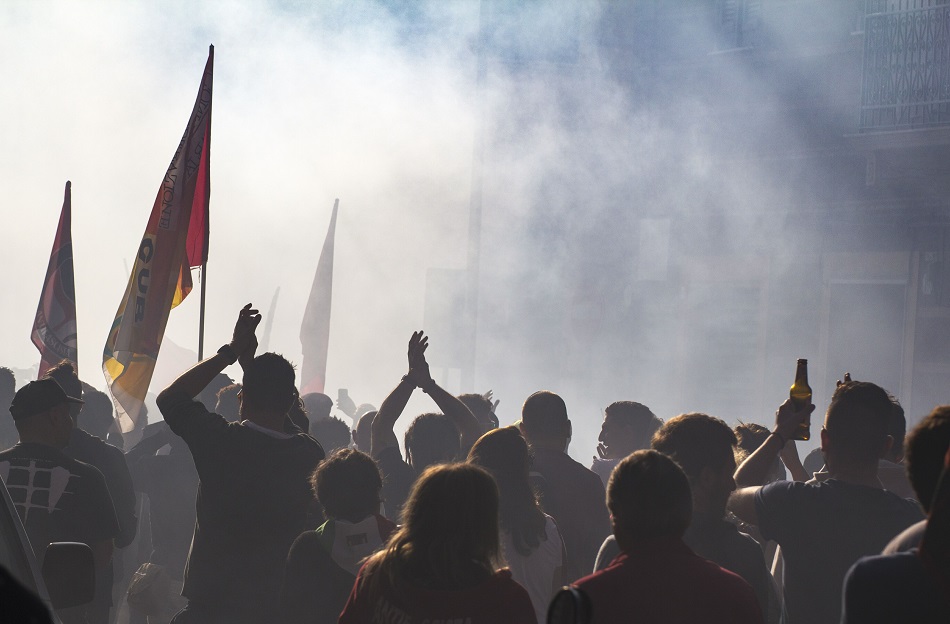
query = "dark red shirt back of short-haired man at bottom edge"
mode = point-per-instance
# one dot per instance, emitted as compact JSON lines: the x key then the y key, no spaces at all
{"x":663,"y":581}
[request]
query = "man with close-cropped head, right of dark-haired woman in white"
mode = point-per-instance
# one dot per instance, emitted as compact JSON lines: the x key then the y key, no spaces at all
{"x":571,"y":493}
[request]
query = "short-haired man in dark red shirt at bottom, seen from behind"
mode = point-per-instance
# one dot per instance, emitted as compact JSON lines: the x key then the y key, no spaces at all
{"x":657,"y":578}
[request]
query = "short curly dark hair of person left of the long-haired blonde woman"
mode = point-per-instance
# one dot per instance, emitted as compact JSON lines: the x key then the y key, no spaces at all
{"x":347,"y":484}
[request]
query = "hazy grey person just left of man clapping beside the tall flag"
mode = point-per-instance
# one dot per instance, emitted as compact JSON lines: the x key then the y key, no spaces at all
{"x":170,"y":481}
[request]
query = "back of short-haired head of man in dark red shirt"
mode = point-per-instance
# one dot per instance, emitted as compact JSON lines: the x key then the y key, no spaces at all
{"x":648,"y":497}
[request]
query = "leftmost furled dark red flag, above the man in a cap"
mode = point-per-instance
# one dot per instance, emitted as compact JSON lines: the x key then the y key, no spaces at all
{"x":54,"y":329}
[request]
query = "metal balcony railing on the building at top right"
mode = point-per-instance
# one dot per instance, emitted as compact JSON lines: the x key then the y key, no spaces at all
{"x":906,"y":65}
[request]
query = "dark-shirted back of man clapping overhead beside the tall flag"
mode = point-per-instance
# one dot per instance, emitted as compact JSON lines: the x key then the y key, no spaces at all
{"x":253,"y":499}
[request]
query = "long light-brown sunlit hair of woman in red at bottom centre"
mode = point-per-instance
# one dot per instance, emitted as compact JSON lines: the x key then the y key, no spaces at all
{"x":449,"y":534}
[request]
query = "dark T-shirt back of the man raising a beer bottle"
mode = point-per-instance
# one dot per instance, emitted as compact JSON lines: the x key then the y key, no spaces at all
{"x":823,"y":528}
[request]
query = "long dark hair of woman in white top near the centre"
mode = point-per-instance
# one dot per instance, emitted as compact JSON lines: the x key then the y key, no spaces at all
{"x":504,"y":453}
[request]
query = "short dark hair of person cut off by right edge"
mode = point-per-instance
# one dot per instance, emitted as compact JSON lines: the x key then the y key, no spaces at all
{"x":924,"y":452}
